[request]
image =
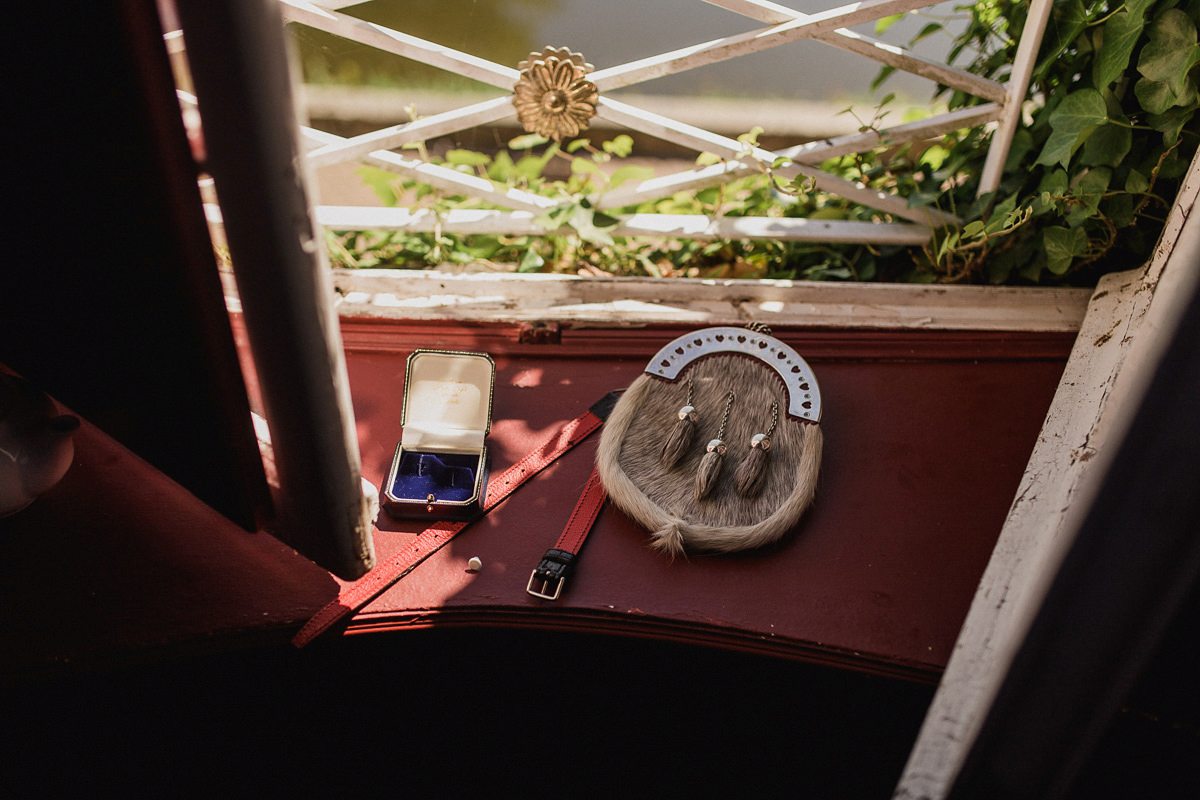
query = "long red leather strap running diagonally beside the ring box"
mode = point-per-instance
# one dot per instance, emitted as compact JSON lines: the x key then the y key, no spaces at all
{"x":355,"y":597}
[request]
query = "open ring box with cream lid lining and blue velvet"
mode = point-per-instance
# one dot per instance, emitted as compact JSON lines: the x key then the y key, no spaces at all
{"x":440,"y":471}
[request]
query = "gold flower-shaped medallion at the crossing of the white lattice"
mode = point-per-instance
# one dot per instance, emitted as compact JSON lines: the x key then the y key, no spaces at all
{"x":554,"y":97}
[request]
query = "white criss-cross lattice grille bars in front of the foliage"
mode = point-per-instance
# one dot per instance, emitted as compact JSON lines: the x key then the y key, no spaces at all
{"x":898,"y":222}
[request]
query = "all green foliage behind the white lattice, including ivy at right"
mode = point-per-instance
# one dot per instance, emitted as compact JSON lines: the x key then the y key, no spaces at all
{"x":1112,"y":127}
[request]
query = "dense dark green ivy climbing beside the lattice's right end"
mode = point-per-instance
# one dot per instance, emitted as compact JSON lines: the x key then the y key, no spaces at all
{"x":1113,"y":129}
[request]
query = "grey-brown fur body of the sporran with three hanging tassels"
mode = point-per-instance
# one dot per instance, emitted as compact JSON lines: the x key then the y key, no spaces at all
{"x":722,"y":500}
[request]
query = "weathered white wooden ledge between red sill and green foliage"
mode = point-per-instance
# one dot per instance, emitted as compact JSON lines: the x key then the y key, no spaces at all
{"x":631,"y":303}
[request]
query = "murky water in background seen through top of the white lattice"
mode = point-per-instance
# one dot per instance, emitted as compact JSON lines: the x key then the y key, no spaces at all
{"x":615,"y":32}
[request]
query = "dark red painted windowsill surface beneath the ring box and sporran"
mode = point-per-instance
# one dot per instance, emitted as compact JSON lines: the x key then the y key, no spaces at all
{"x":927,"y":436}
